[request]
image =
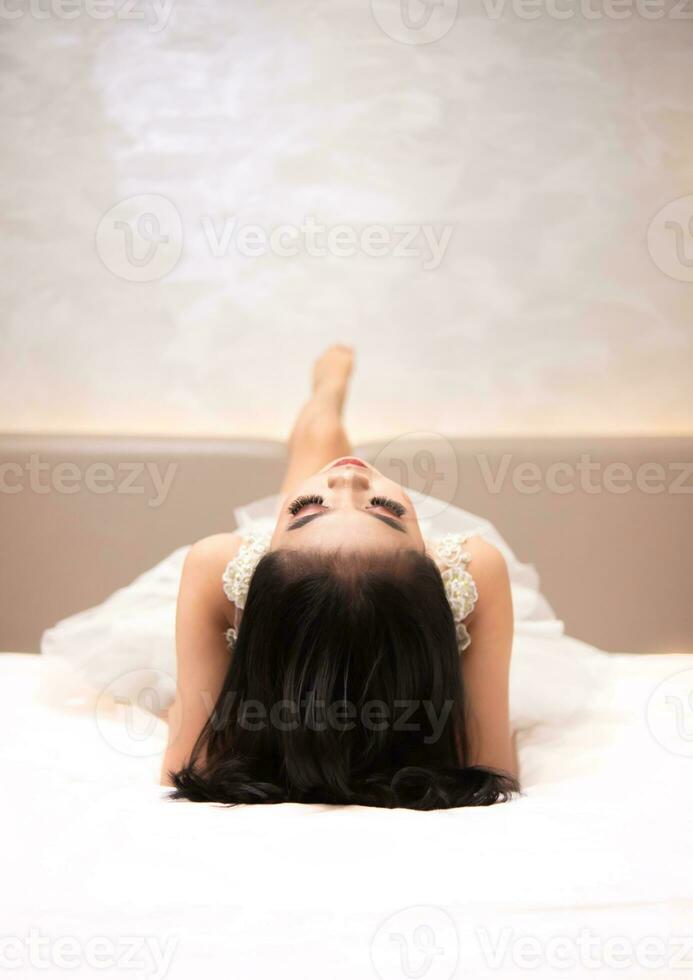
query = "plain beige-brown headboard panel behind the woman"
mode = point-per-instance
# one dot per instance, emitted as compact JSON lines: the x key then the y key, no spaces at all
{"x":82,"y":516}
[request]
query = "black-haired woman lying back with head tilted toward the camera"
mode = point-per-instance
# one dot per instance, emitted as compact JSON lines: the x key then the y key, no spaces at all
{"x":342,"y":658}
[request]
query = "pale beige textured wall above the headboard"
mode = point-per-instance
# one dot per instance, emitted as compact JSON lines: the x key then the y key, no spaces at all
{"x":547,"y":146}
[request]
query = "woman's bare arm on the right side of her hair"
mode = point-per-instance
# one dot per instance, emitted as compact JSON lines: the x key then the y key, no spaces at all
{"x":486,"y":662}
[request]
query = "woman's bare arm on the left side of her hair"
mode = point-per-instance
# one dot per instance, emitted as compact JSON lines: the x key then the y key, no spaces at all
{"x":203,"y":615}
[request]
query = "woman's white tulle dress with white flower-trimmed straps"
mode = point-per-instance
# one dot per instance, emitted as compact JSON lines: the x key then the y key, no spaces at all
{"x":127,"y":642}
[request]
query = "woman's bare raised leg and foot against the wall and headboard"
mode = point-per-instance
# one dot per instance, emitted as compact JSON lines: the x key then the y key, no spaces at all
{"x":318,"y":434}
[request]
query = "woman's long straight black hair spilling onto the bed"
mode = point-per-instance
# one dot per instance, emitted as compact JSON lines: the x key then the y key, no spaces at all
{"x":344,"y":687}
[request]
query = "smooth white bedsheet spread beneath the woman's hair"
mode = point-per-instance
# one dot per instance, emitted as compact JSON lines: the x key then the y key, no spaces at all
{"x":588,"y":874}
